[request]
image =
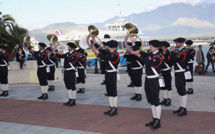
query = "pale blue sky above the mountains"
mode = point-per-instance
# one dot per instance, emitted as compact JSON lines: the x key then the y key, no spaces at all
{"x":39,"y":13}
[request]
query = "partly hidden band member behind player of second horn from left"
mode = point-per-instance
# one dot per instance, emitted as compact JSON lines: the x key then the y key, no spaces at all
{"x":81,"y":66}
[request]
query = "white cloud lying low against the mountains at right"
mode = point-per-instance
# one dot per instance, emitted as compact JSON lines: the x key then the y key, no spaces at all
{"x":193,"y":22}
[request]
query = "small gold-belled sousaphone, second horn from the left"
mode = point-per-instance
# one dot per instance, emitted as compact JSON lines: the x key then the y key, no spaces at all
{"x":54,"y":42}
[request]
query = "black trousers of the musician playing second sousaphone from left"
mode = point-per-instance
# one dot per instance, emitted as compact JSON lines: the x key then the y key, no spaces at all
{"x":69,"y":79}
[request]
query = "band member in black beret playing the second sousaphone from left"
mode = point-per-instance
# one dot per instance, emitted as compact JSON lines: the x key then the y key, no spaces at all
{"x":70,"y":61}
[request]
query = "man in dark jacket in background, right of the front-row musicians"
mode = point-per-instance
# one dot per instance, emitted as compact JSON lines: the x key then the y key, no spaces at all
{"x":200,"y":59}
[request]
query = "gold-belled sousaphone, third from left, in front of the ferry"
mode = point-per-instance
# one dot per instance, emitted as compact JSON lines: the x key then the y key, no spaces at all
{"x":95,"y":32}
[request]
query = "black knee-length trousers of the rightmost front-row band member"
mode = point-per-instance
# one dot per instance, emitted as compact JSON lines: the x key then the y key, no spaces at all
{"x":180,"y":83}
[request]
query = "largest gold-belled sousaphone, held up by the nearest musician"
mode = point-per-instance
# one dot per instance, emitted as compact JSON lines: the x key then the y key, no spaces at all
{"x":132,"y":31}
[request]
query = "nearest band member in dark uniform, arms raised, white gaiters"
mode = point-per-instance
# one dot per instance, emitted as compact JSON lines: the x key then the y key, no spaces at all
{"x":153,"y":62}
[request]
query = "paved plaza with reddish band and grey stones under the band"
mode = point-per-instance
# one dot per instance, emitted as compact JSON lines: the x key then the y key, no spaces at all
{"x":21,"y":112}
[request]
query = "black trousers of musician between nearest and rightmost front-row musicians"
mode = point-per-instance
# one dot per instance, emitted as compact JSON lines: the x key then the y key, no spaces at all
{"x":168,"y":80}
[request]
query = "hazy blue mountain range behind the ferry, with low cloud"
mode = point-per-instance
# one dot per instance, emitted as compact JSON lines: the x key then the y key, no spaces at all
{"x":167,"y":21}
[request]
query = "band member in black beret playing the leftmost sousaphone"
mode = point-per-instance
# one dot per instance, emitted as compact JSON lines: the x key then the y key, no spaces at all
{"x":41,"y":57}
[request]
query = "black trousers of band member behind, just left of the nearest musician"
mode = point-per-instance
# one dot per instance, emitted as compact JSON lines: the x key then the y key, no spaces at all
{"x":136,"y":77}
